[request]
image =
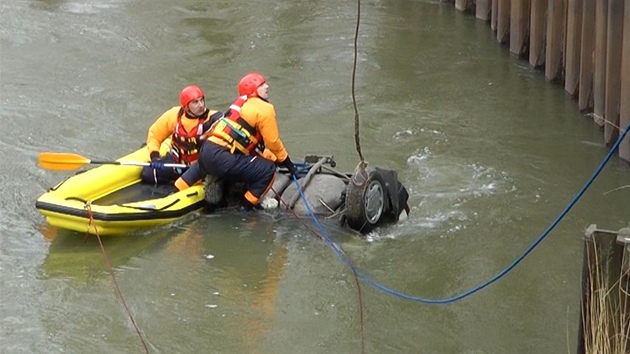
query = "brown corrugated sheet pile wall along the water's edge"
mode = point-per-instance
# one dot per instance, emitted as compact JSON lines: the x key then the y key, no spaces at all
{"x":582,"y":44}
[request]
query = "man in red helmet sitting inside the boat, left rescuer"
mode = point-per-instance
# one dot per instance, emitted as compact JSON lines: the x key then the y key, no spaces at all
{"x":186,"y":126}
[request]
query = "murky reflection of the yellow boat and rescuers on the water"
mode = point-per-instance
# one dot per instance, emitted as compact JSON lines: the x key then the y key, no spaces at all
{"x":73,"y":255}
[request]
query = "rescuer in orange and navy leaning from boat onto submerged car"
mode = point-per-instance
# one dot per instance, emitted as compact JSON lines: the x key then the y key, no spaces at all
{"x":243,"y":145}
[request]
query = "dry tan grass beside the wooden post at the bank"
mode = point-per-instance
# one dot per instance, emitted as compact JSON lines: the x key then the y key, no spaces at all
{"x":605,"y":317}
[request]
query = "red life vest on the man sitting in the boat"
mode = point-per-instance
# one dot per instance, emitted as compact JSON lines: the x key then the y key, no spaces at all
{"x":185,"y":145}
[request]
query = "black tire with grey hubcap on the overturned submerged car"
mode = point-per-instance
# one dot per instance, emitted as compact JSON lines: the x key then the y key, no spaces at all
{"x":366,"y":204}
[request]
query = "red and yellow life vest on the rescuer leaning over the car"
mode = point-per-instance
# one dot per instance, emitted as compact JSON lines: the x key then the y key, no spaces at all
{"x":237,"y":134}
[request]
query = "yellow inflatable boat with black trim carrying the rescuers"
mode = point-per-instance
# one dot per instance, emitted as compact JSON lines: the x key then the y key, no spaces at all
{"x":112,"y":200}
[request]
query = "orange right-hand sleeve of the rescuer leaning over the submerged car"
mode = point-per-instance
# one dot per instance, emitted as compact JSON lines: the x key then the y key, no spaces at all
{"x":262,"y":115}
